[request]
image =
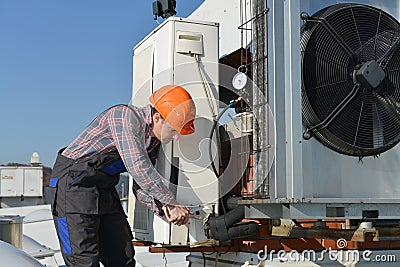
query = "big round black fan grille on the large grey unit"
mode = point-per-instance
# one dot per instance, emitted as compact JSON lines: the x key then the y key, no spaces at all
{"x":334,"y":43}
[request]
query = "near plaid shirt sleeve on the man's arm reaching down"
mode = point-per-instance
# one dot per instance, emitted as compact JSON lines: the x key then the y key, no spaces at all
{"x":128,"y":136}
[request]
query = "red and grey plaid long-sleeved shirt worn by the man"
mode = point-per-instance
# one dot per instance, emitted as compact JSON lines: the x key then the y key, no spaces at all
{"x":127,"y":130}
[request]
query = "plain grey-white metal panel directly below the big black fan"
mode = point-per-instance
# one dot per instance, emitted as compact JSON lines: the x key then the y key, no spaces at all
{"x":328,"y":174}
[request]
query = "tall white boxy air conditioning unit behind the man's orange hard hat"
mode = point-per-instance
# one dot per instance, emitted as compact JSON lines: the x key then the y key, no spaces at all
{"x":183,"y":52}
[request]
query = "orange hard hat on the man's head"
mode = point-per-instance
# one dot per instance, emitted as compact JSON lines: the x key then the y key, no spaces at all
{"x":176,"y":106}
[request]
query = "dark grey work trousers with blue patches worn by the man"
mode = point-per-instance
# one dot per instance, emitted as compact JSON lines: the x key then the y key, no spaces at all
{"x":89,"y":219}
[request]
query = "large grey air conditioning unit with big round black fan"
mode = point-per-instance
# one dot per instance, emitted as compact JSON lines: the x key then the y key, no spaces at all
{"x":333,"y":84}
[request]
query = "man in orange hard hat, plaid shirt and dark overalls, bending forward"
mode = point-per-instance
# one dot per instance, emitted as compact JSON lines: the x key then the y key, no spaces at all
{"x":88,"y":216}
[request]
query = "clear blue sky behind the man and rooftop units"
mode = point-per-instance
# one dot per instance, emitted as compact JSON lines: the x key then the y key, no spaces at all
{"x":61,"y":64}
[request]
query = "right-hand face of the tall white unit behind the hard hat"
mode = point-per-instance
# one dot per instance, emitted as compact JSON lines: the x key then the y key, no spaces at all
{"x":197,"y":182}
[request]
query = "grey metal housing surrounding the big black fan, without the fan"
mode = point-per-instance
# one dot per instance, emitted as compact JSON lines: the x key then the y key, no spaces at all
{"x":312,"y":180}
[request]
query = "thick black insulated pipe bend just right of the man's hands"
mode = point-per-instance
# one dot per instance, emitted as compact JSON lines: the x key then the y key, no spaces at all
{"x":228,"y":226}
